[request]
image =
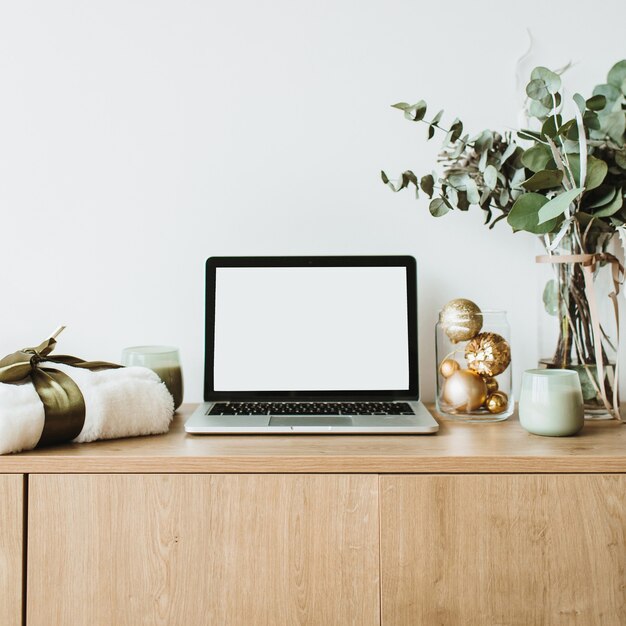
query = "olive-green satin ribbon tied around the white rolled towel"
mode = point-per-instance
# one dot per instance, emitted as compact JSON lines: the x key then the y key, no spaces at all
{"x":63,"y":402}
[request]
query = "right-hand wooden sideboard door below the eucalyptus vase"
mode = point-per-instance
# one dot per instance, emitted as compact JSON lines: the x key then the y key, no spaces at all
{"x":503,"y":550}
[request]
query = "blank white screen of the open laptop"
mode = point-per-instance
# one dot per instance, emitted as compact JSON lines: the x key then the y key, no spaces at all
{"x":311,"y":328}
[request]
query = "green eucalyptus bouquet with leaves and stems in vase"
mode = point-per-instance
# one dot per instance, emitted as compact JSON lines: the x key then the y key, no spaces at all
{"x":564,"y":179}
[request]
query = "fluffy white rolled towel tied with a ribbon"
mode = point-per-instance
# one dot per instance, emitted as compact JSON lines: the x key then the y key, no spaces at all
{"x":123,"y":402}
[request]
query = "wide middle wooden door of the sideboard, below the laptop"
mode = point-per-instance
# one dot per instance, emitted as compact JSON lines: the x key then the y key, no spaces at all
{"x":203,"y":549}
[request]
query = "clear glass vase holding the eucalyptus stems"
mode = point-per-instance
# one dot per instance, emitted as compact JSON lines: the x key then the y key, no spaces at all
{"x":566,"y":329}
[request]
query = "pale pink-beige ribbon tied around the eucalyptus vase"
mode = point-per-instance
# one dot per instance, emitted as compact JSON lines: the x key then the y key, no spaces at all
{"x":588,"y":263}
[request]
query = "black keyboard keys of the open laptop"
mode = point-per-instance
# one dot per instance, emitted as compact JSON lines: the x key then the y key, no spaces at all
{"x":311,"y":408}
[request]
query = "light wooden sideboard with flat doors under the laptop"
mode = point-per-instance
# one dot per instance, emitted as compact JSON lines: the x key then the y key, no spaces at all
{"x":481,"y":524}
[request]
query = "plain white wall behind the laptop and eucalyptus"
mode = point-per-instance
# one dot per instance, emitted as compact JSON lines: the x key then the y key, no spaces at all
{"x":138,"y":138}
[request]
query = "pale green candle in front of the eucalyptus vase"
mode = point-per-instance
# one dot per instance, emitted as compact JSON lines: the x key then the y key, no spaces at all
{"x":551,"y":402}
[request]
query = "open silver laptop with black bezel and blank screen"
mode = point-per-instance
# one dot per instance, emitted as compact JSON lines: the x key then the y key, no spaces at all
{"x":321,"y":344}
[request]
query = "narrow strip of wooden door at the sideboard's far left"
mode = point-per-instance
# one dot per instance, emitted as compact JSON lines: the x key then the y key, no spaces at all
{"x":11,"y":555}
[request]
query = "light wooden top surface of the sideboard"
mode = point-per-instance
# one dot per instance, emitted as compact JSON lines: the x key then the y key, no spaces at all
{"x":457,"y":448}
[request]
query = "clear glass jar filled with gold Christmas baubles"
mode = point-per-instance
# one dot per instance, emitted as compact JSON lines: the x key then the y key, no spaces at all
{"x":474,"y":378}
